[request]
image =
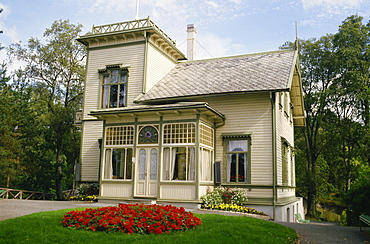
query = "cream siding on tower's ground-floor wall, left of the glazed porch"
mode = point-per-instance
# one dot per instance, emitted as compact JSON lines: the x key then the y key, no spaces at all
{"x":90,"y":152}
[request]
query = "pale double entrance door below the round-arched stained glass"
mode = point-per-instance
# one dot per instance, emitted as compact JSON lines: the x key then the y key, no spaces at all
{"x":146,"y":172}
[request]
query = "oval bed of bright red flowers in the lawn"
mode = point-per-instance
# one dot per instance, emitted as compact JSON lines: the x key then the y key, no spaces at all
{"x":132,"y":218}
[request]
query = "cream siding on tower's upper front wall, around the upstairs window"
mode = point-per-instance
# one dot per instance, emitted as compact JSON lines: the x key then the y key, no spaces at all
{"x":131,"y":56}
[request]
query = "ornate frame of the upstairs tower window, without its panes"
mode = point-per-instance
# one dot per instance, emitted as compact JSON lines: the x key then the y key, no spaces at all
{"x":105,"y":102}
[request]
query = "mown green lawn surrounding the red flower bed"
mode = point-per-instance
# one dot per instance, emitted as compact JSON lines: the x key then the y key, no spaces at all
{"x":45,"y":228}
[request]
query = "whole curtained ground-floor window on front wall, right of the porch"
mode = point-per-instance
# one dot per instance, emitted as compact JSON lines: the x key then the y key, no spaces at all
{"x":237,"y":150}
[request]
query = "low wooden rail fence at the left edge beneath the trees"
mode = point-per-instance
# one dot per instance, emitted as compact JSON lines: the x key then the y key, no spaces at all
{"x":6,"y":193}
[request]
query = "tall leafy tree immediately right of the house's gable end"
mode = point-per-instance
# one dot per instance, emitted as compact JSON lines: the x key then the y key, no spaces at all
{"x":317,"y":75}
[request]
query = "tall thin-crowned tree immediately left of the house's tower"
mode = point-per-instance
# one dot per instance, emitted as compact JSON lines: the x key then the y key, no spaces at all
{"x":56,"y":70}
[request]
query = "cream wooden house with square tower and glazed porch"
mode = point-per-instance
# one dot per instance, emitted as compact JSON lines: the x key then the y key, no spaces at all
{"x":155,"y":125}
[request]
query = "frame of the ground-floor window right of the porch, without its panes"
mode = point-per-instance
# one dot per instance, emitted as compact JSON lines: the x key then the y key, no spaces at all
{"x":236,"y":137}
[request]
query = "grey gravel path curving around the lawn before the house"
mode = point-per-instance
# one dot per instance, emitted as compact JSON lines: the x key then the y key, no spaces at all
{"x":313,"y":233}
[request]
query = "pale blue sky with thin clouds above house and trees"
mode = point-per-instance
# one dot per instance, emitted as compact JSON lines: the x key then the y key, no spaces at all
{"x":224,"y":27}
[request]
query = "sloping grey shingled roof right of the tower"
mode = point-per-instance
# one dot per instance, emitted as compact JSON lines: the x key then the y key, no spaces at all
{"x":248,"y":73}
